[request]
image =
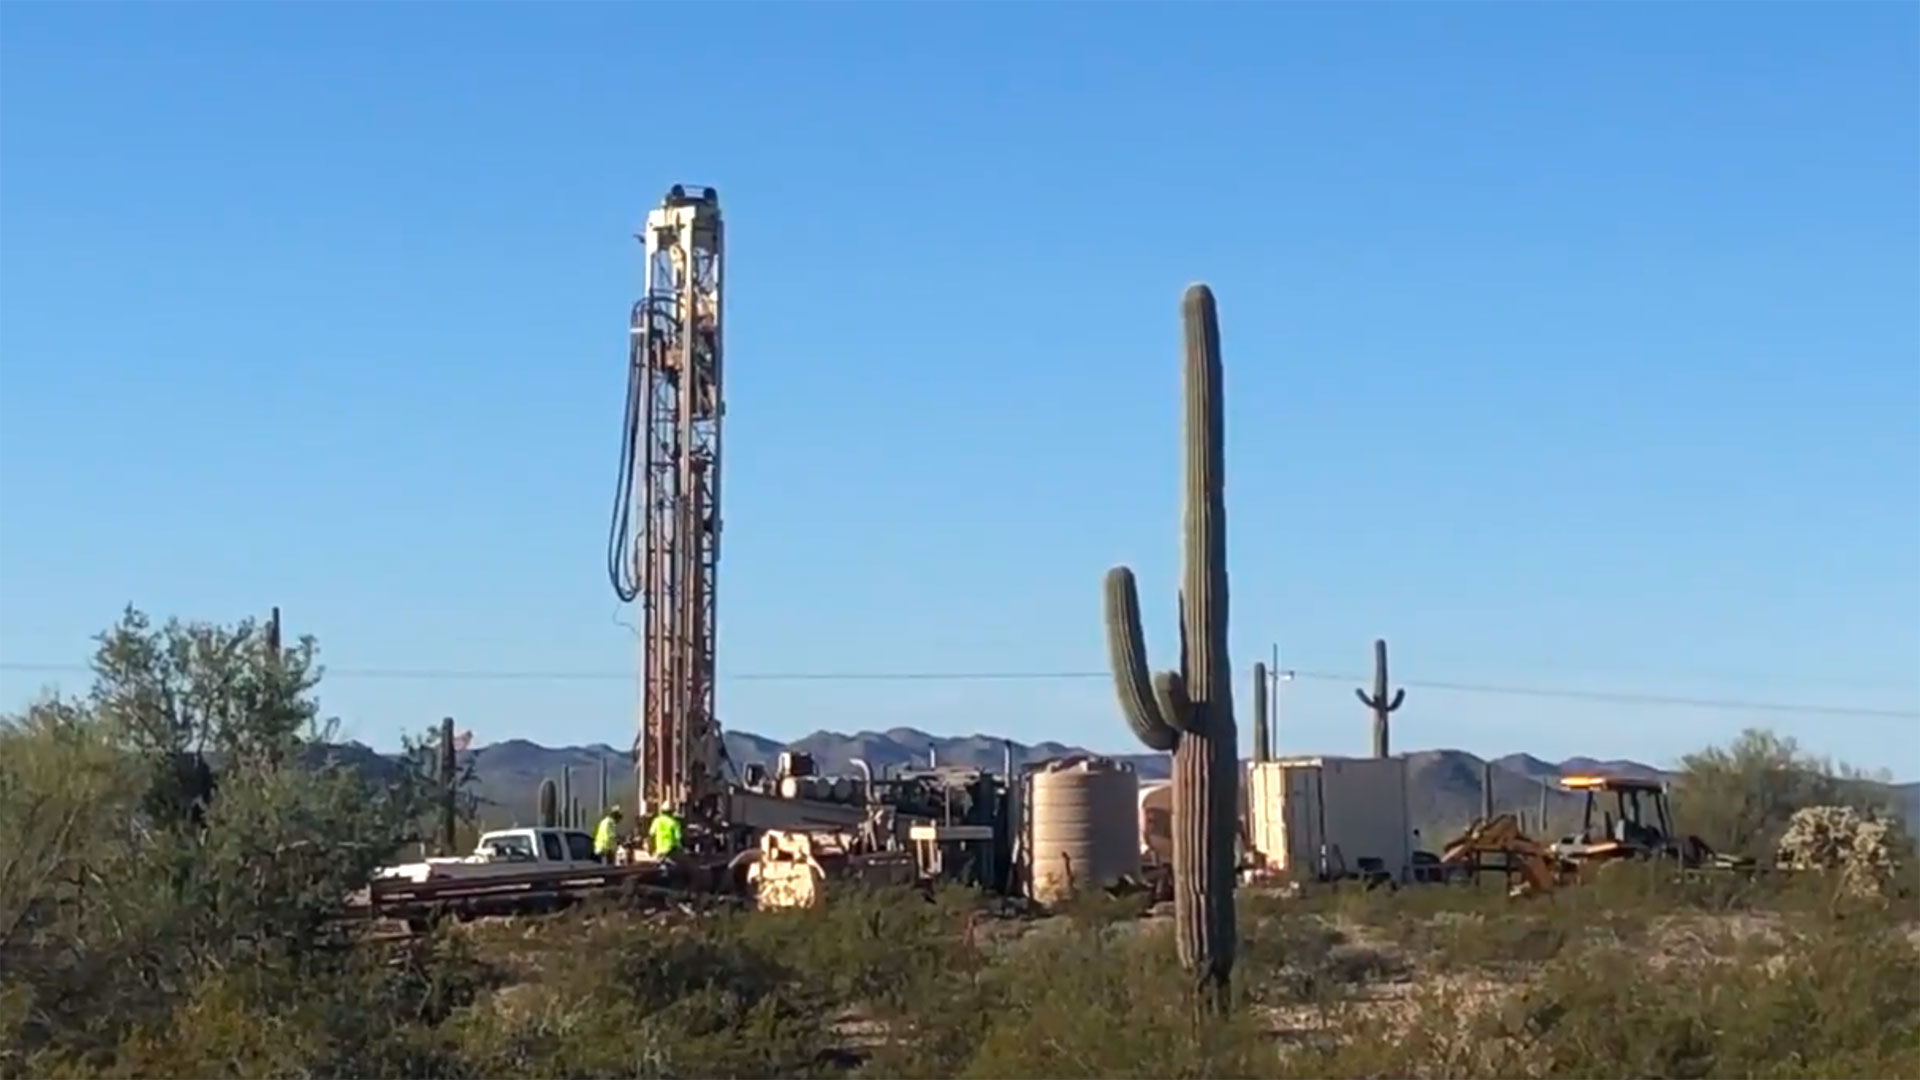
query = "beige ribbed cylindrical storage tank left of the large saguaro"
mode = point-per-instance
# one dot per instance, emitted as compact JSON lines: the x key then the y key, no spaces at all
{"x":1084,"y":825}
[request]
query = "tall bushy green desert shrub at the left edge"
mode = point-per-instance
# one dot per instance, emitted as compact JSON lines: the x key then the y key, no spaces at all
{"x":176,"y":841}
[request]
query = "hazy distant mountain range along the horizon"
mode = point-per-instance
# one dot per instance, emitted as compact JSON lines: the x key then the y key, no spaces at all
{"x":1443,"y":785}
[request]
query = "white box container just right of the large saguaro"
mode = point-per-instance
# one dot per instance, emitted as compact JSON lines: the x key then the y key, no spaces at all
{"x":1332,"y":818}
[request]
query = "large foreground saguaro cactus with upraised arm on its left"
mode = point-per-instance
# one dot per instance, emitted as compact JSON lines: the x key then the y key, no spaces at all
{"x":1189,"y":712}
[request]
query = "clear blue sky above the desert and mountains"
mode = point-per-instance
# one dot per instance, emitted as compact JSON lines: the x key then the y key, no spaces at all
{"x":1568,"y":347}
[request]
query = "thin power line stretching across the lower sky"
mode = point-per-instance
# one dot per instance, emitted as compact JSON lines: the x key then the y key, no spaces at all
{"x":1548,"y":693}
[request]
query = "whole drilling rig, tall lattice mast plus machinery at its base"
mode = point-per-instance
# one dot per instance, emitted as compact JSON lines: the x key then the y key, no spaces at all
{"x":663,"y":554}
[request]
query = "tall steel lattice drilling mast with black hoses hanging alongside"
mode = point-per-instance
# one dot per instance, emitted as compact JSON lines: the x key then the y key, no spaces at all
{"x":671,"y":481}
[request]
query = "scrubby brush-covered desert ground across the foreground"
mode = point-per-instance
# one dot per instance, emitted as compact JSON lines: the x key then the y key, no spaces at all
{"x":1635,"y":977}
